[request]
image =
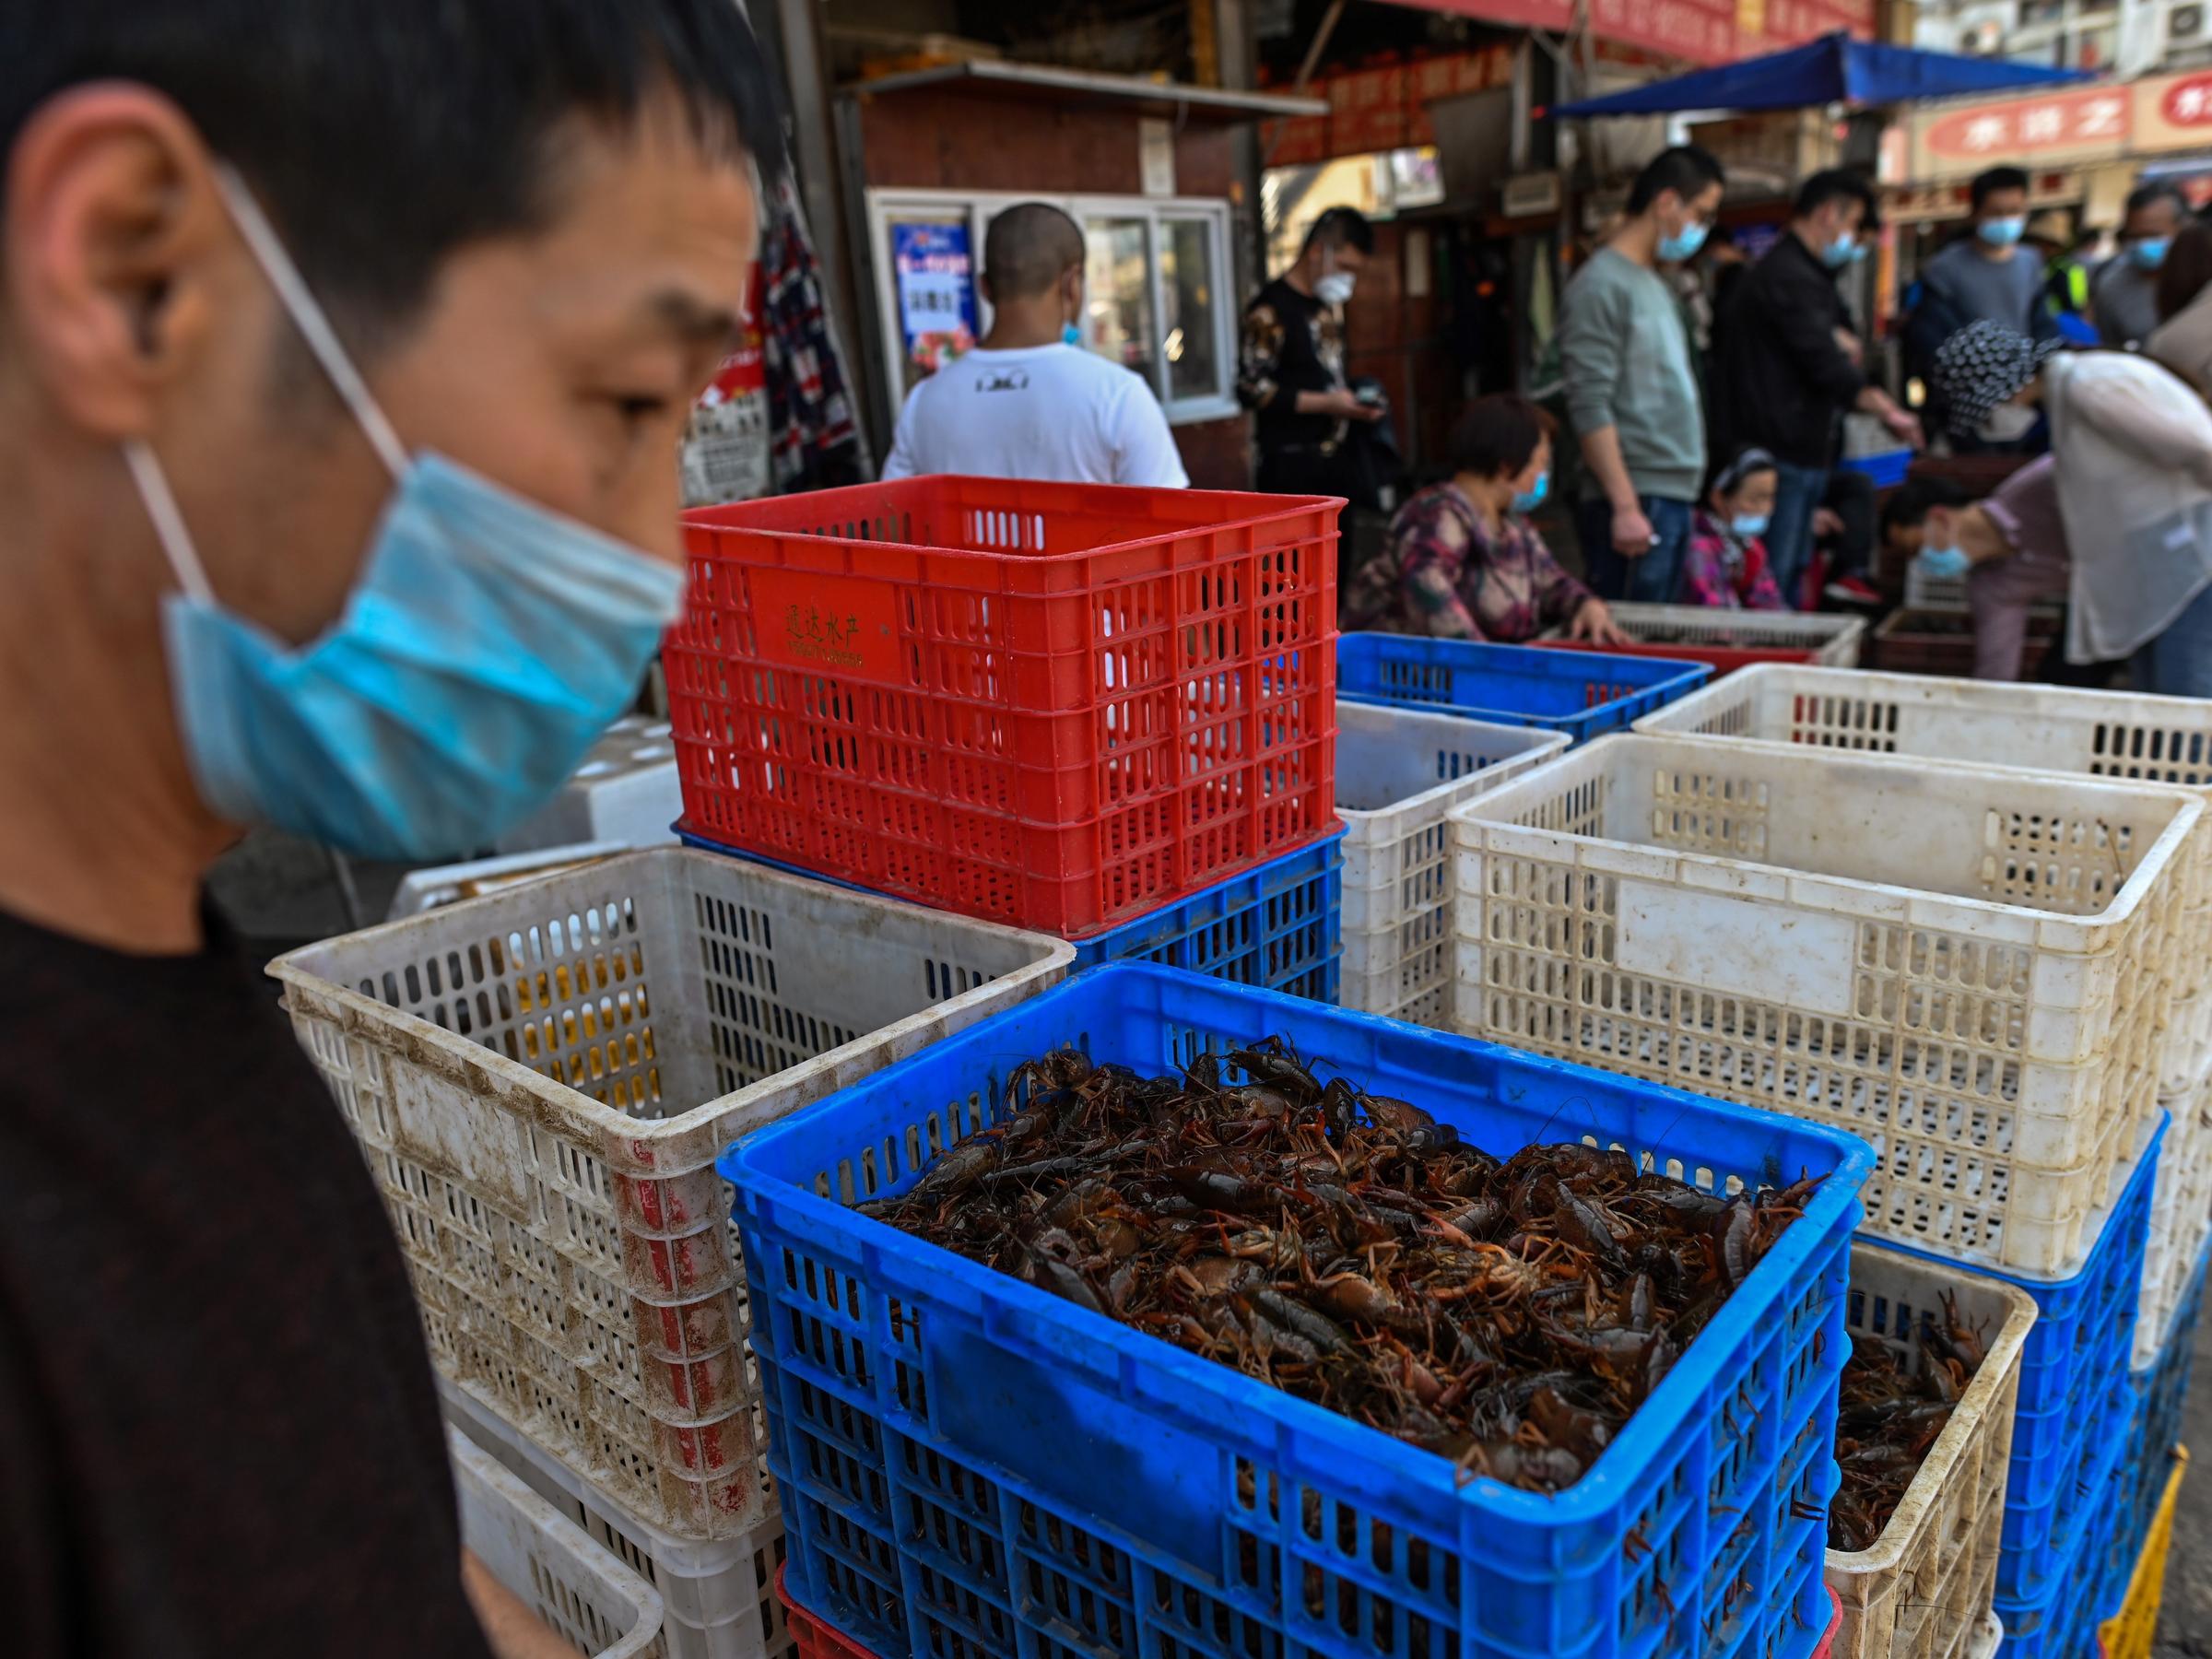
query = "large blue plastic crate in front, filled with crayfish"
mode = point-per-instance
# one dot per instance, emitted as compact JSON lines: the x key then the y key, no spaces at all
{"x":974,"y":1468}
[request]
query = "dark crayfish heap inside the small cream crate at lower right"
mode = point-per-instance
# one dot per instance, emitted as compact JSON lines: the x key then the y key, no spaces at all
{"x":1892,"y":1415}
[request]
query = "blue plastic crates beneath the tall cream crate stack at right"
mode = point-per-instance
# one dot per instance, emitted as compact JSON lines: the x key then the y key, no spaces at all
{"x":2076,"y":1415}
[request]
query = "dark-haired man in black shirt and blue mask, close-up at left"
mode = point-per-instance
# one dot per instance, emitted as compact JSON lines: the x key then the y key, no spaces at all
{"x":344,"y":359}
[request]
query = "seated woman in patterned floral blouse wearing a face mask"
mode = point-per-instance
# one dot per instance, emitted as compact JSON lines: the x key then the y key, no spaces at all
{"x":1463,"y":561}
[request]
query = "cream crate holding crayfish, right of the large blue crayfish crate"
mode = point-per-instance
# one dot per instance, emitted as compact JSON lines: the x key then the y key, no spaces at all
{"x":1926,"y":1587}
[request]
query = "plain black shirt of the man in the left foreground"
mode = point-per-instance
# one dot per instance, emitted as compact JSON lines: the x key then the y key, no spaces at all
{"x":218,"y":1426}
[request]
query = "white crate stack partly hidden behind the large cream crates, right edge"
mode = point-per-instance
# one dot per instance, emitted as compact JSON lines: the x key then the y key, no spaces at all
{"x":2045,"y":729}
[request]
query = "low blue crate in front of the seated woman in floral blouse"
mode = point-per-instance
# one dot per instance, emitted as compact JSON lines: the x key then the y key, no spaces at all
{"x":1580,"y":693}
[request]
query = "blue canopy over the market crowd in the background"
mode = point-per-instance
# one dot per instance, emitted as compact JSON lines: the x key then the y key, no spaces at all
{"x":1833,"y":70}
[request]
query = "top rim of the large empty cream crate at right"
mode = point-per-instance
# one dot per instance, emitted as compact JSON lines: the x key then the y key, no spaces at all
{"x":2127,"y":899}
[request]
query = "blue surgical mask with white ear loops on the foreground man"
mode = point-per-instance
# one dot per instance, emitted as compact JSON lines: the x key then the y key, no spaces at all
{"x":483,"y":649}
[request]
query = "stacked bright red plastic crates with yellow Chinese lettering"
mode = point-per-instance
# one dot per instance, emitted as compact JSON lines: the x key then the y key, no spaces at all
{"x":1045,"y":705}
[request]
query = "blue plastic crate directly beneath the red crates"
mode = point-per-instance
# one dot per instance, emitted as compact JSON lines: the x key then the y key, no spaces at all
{"x":1277,"y":926}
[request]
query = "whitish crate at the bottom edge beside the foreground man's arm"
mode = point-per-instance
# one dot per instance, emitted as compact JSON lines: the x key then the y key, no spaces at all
{"x":576,"y":1587}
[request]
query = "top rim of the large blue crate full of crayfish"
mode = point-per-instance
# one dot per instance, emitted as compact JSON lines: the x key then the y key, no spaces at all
{"x":1240,"y":1399}
